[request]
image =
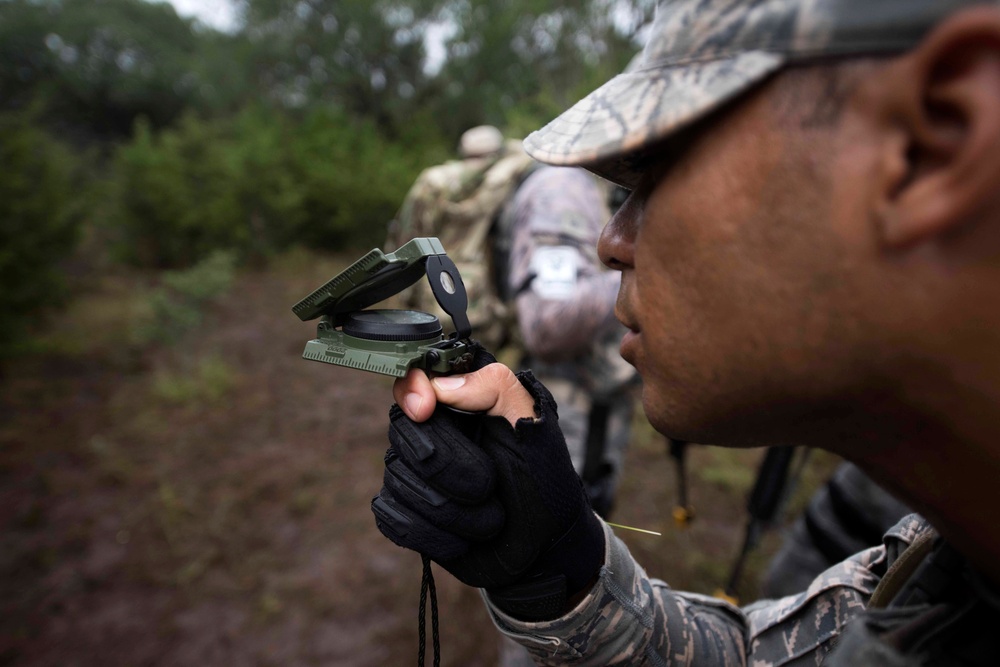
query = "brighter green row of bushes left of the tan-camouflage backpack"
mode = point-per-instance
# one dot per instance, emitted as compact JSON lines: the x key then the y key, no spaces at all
{"x":258,"y":184}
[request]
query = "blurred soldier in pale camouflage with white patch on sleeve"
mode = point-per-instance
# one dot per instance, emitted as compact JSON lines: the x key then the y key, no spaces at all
{"x":564,"y":301}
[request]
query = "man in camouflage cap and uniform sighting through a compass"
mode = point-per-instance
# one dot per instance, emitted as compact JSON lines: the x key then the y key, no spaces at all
{"x":810,"y":254}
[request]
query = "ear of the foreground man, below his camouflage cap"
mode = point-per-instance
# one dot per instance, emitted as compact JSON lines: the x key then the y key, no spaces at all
{"x":944,"y":104}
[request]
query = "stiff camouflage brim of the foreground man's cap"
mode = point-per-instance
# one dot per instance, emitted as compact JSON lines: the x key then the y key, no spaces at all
{"x":636,"y":109}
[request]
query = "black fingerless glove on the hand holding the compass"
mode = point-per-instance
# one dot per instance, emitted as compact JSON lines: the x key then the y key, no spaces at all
{"x":498,"y":507}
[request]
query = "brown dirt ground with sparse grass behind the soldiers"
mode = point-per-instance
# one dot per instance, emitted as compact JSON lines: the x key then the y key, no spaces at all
{"x":144,"y":525}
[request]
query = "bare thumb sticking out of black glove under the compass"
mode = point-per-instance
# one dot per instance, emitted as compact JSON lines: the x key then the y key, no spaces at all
{"x":493,"y":389}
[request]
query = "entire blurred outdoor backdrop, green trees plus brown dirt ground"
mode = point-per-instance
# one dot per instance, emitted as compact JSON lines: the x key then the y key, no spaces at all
{"x":176,"y":485}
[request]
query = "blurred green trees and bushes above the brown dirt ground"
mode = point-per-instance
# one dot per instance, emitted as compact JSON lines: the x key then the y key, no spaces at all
{"x":155,"y":141}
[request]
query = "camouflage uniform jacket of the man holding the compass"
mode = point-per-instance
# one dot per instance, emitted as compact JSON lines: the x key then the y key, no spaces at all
{"x":631,"y":619}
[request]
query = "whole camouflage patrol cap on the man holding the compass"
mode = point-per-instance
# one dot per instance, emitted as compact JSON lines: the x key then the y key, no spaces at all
{"x":703,"y":53}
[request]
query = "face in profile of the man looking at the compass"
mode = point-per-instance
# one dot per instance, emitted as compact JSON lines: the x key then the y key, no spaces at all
{"x":734,"y":256}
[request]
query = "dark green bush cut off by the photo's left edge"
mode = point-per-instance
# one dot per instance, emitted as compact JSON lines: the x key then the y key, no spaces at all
{"x":39,"y":226}
